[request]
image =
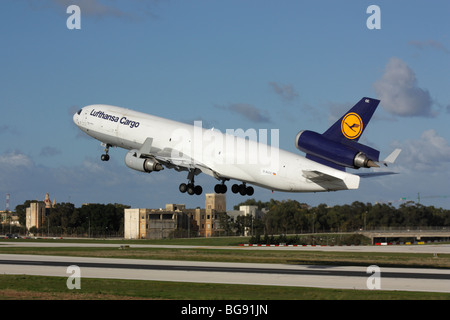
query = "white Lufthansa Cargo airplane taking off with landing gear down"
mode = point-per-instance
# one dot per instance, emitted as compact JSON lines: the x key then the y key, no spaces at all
{"x":155,"y":143}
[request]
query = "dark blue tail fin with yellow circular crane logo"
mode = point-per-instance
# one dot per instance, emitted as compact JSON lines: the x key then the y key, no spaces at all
{"x":352,"y":125}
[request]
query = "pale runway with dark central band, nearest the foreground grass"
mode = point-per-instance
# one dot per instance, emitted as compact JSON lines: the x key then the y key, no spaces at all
{"x":406,"y":279}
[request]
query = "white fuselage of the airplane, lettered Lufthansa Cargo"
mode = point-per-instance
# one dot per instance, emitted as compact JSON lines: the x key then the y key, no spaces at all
{"x":220,"y":155}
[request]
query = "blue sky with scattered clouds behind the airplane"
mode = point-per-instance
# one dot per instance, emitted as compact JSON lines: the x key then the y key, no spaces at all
{"x":287,"y":65}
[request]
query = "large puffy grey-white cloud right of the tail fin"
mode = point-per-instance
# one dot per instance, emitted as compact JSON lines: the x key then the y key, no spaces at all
{"x":399,"y":93}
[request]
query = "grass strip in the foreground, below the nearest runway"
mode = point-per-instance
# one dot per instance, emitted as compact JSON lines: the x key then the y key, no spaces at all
{"x":37,"y":287}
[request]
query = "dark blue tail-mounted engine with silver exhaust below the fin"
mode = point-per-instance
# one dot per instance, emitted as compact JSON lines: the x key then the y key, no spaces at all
{"x":351,"y":155}
